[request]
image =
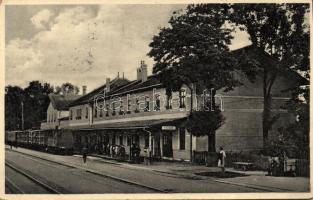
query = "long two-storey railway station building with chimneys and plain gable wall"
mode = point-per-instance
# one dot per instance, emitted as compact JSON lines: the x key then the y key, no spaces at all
{"x":123,"y":112}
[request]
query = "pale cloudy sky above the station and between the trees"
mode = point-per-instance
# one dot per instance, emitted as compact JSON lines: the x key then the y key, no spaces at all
{"x":83,"y":44}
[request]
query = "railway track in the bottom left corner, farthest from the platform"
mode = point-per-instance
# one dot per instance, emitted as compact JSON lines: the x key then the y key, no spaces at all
{"x":12,"y":186}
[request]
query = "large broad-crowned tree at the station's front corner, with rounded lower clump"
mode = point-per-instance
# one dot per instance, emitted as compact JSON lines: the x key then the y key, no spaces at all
{"x":193,"y":51}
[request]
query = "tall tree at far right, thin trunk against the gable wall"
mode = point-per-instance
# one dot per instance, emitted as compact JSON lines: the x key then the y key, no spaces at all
{"x":281,"y":31}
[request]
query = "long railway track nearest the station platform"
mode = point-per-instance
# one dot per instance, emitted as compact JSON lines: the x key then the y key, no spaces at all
{"x":153,"y":189}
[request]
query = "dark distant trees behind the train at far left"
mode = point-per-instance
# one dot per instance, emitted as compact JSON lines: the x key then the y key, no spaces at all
{"x":35,"y":103}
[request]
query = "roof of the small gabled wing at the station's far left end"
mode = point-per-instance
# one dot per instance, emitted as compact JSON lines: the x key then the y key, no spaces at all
{"x":62,"y":102}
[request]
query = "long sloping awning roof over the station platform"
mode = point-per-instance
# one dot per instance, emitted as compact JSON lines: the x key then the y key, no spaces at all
{"x":130,"y":125}
